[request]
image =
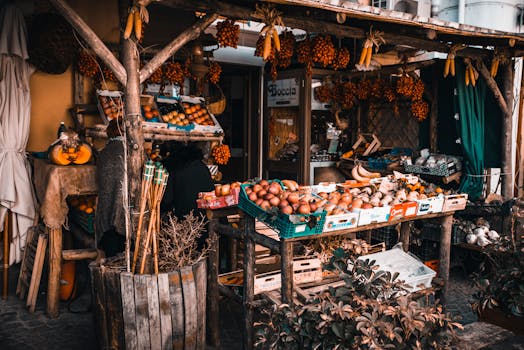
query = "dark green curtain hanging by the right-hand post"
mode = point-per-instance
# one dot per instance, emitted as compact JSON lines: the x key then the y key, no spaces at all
{"x":470,"y":103}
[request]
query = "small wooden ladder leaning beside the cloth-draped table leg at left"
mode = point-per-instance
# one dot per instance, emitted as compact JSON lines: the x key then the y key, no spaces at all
{"x":32,"y":265}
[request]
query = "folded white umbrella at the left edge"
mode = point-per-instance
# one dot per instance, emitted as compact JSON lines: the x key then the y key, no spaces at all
{"x":16,"y":190}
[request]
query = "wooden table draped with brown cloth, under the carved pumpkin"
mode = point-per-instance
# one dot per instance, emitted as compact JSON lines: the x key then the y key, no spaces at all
{"x":53,"y":184}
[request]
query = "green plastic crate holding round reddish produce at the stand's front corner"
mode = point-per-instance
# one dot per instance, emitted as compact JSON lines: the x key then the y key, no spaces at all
{"x":288,"y":226}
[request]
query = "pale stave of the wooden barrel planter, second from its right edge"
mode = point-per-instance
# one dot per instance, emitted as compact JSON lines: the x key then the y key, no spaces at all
{"x":190,"y":307}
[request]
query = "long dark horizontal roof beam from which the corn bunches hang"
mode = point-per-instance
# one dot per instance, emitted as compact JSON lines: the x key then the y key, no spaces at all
{"x":319,"y":26}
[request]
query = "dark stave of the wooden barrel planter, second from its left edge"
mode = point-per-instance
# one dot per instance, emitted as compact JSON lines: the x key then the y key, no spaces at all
{"x":115,"y":320}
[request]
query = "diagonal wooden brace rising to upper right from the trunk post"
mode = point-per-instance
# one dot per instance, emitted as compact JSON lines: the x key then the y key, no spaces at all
{"x":186,"y":36}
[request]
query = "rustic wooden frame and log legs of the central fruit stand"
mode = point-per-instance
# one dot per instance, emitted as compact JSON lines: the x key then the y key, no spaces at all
{"x":284,"y":247}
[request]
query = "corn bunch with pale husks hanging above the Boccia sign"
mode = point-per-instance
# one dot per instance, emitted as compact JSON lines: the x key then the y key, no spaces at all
{"x":271,"y":17}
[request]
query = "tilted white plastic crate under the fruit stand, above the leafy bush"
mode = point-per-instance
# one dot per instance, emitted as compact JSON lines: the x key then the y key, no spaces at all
{"x":410,"y":269}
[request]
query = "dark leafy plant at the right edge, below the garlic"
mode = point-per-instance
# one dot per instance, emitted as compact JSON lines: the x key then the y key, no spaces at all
{"x":500,"y":281}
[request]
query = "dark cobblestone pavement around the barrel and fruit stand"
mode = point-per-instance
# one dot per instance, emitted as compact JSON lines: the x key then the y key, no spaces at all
{"x":20,"y":329}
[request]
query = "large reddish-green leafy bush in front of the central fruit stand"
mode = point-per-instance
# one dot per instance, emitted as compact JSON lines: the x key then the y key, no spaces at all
{"x":370,"y":311}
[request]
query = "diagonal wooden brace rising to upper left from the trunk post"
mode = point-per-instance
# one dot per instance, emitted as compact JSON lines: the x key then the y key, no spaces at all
{"x":92,"y":39}
